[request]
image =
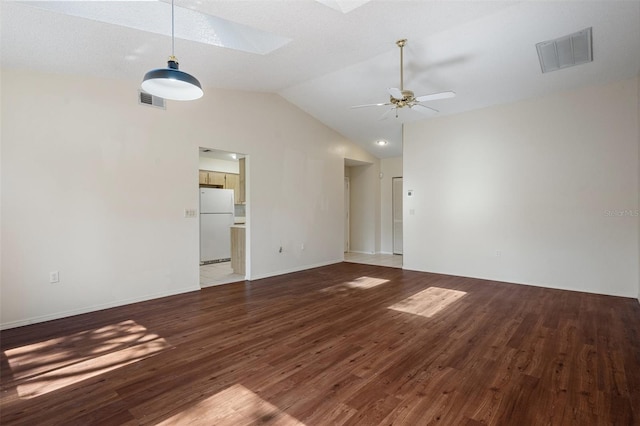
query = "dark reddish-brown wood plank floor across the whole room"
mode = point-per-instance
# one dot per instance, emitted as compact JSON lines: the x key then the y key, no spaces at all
{"x":343,"y":344}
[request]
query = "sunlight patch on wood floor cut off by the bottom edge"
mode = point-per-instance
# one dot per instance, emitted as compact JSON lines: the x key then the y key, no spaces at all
{"x":233,"y":406}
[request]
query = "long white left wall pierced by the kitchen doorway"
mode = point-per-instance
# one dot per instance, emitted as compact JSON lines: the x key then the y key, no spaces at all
{"x":95,"y":186}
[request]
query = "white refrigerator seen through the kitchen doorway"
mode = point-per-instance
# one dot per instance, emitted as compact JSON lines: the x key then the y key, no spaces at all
{"x":216,"y":218}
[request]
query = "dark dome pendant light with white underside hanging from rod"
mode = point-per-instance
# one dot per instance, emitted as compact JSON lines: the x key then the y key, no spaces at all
{"x":171,"y":83}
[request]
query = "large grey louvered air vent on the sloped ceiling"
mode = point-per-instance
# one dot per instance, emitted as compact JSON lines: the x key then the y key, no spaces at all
{"x":567,"y":51}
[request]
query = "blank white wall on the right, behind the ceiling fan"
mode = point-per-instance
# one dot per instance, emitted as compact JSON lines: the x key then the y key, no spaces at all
{"x":545,"y":182}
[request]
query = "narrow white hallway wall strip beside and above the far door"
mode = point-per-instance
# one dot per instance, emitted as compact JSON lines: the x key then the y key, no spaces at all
{"x":390,"y":168}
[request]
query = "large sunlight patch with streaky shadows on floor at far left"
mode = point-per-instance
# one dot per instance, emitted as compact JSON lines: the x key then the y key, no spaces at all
{"x":46,"y":366}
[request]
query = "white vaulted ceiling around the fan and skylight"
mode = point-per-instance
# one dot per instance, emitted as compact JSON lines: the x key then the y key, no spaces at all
{"x":484,"y":51}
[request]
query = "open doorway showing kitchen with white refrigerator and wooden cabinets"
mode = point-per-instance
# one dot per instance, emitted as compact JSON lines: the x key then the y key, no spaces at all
{"x":223,"y":217}
